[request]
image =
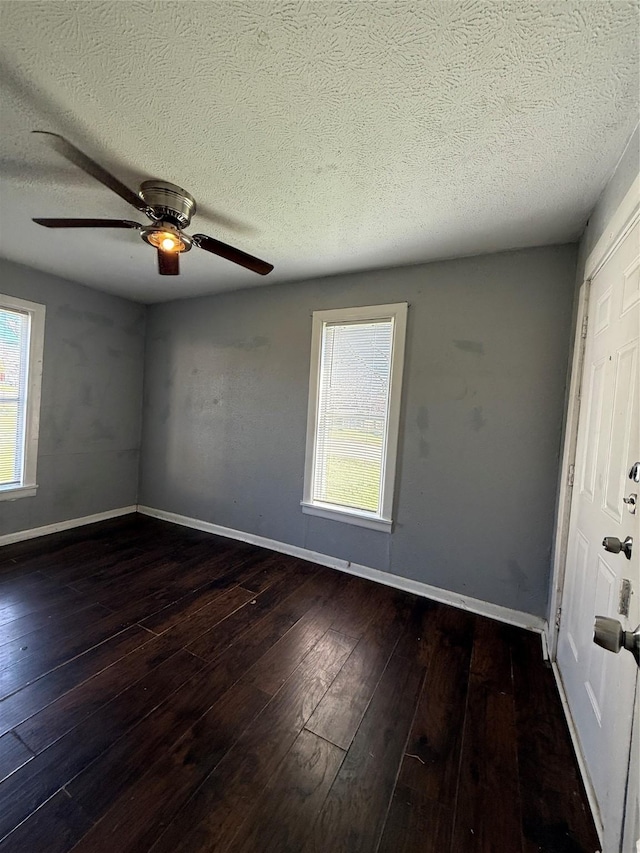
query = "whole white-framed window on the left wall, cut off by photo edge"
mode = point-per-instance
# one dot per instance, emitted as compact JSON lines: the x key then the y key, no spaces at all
{"x":21,"y":344}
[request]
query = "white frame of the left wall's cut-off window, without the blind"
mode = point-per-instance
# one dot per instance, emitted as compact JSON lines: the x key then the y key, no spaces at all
{"x":36,"y":311}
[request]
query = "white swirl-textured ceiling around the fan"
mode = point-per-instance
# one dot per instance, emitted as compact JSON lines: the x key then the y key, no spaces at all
{"x":338,"y":135}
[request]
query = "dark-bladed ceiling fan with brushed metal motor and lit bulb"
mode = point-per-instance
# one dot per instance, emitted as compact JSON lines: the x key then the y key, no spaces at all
{"x":168,"y":206}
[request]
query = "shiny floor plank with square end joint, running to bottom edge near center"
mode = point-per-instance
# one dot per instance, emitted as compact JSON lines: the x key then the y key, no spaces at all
{"x":282,"y":817}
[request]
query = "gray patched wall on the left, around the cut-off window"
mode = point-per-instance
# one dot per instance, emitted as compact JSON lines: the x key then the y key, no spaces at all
{"x":91,"y":401}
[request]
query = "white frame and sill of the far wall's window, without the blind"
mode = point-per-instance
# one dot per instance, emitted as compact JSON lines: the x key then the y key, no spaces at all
{"x":383,"y":519}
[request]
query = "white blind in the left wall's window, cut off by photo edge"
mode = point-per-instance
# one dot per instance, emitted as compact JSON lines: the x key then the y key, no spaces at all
{"x":15,"y":329}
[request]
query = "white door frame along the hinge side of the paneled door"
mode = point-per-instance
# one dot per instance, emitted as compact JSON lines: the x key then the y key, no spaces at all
{"x":622,"y":221}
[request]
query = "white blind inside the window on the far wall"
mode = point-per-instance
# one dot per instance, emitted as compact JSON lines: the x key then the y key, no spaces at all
{"x":353,"y":410}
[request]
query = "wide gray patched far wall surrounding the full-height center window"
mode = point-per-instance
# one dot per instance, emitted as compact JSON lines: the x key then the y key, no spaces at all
{"x":226,"y":386}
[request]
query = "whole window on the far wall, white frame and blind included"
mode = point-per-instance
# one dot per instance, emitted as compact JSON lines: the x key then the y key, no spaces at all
{"x":357,"y":356}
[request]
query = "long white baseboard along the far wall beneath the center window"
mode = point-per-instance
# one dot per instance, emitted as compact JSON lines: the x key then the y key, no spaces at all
{"x":463,"y":602}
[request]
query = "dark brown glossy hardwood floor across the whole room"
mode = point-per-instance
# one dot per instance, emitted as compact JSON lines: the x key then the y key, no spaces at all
{"x":168,"y":690}
